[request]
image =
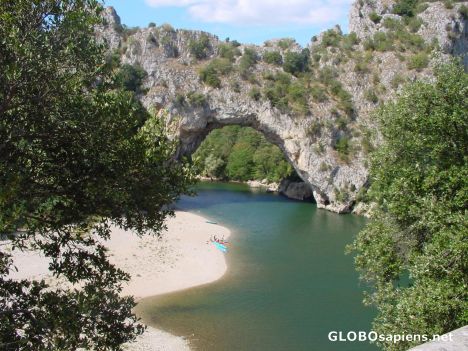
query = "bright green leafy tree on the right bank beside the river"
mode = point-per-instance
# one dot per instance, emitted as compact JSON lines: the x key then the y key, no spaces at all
{"x":413,"y":252}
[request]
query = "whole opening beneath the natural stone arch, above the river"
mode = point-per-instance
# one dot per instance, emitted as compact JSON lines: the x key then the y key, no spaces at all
{"x":245,"y":154}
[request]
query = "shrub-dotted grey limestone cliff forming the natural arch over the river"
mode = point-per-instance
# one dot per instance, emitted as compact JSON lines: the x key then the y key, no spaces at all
{"x":350,"y":75}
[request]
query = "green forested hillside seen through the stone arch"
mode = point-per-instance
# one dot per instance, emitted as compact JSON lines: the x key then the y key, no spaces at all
{"x":241,"y":153}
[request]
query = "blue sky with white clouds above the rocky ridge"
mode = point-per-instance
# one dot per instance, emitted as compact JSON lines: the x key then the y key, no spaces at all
{"x":247,"y":21}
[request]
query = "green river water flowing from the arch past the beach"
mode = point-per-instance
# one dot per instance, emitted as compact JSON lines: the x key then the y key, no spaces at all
{"x":288,"y":285}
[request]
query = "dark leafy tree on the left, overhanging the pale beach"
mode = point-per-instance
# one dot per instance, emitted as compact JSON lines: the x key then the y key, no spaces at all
{"x":76,"y":156}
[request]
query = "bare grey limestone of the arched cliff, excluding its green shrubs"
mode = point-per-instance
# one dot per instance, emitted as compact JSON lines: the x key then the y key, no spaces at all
{"x":173,"y":72}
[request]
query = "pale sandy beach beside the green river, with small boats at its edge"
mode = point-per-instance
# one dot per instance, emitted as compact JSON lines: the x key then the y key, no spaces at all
{"x":180,"y":259}
